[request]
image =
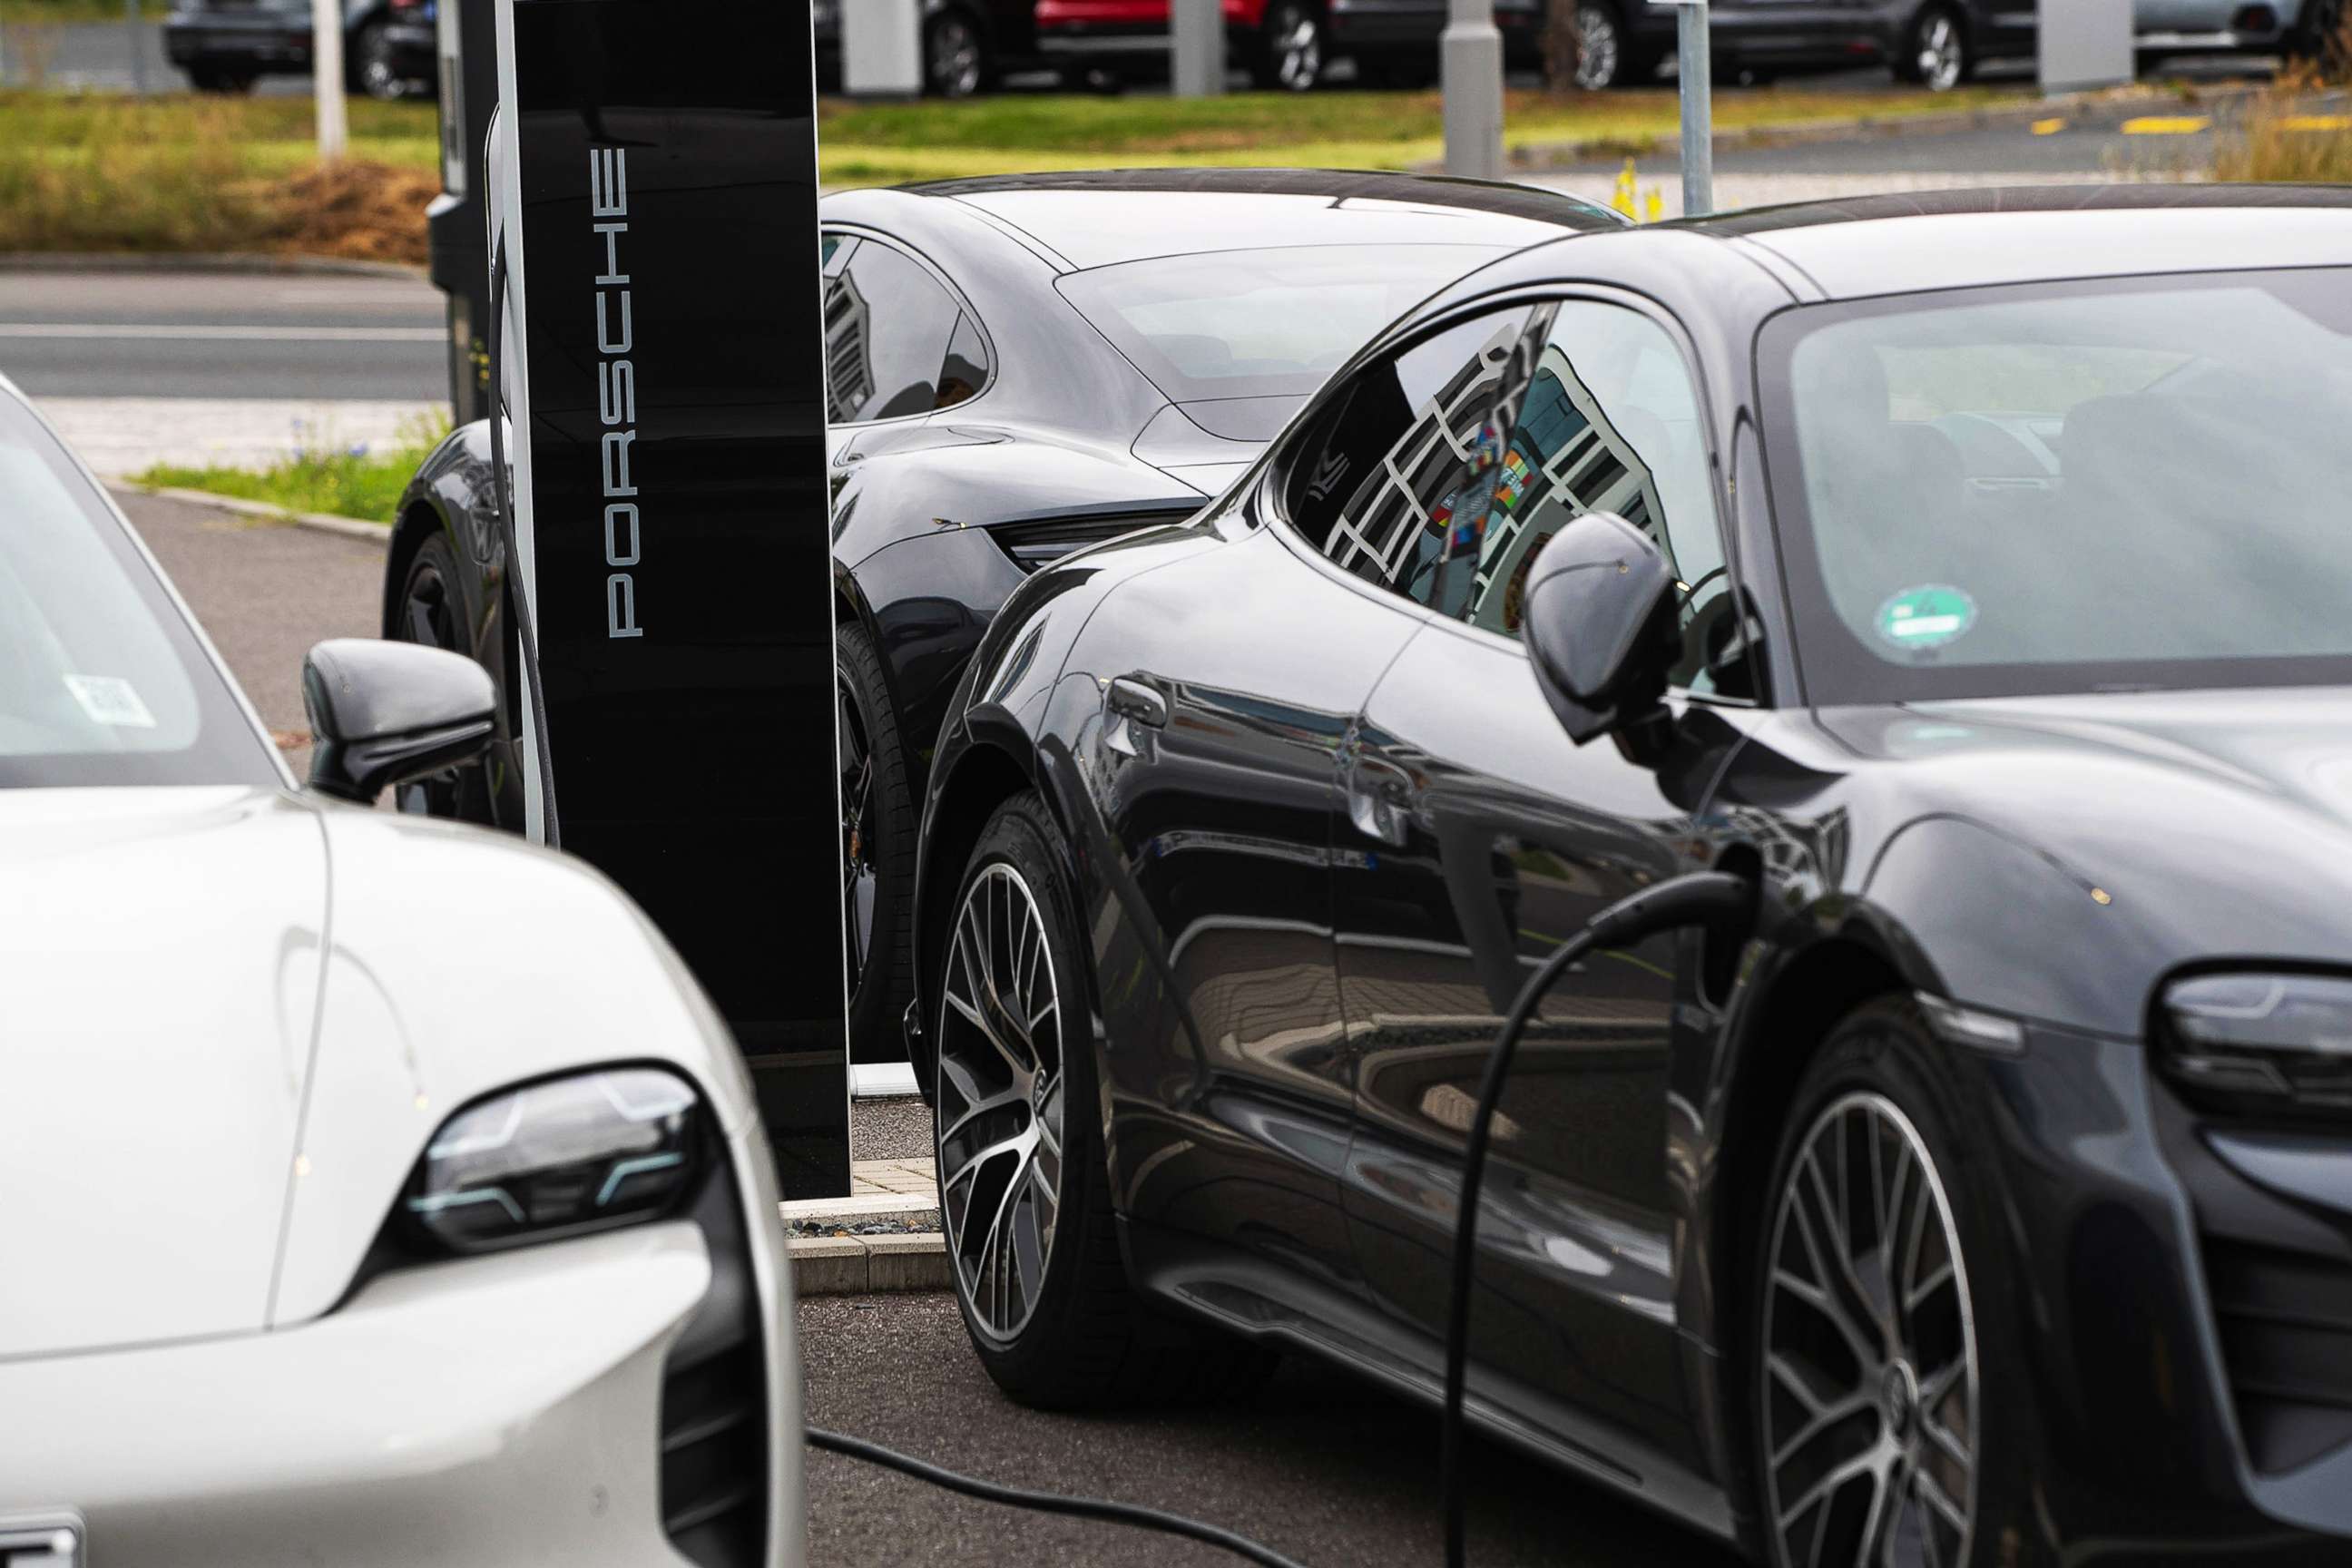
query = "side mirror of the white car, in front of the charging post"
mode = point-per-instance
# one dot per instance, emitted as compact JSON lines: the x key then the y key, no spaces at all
{"x":385,"y":713}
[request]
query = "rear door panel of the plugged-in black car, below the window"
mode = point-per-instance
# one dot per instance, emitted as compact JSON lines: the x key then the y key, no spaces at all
{"x":1222,"y":688}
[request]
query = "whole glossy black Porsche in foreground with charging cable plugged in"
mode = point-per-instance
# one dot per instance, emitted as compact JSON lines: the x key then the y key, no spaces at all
{"x":1967,"y":572}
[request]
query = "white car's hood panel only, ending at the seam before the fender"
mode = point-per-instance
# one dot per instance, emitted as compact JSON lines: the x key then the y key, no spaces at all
{"x":159,"y":989}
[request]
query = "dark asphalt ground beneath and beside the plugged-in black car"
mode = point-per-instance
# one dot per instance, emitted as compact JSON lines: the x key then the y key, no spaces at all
{"x":1318,"y":1468}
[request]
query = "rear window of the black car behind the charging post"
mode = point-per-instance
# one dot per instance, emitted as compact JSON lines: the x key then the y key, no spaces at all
{"x":1269,"y":323}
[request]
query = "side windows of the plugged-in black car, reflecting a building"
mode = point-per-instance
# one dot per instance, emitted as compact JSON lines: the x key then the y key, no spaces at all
{"x":1445,"y":471}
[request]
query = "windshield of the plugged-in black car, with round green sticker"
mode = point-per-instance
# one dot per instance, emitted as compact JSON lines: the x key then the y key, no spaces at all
{"x":2069,"y":488}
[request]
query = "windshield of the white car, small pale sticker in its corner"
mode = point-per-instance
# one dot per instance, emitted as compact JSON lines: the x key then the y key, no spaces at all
{"x":102,"y":683}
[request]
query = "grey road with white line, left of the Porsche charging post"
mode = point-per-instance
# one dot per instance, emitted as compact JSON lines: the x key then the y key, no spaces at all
{"x":222,"y":335}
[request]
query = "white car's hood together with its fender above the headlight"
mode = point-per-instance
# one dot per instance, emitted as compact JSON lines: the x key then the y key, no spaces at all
{"x":201,"y":1134}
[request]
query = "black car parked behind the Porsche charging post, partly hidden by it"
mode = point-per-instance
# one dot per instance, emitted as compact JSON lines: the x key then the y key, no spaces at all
{"x":1015,"y":368}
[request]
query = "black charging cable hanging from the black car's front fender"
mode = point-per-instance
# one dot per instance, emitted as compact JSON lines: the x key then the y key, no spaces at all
{"x":1685,"y":902}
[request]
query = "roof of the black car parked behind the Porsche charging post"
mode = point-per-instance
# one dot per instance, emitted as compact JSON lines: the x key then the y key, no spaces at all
{"x":1102,"y":217}
